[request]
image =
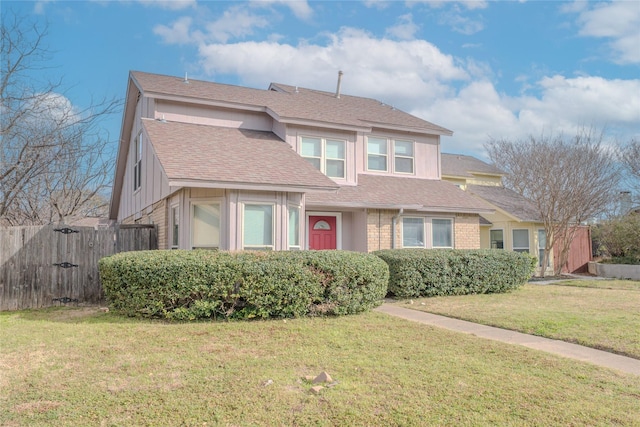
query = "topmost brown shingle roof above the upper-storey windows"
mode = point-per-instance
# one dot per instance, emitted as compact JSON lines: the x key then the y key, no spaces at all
{"x":287,"y":103}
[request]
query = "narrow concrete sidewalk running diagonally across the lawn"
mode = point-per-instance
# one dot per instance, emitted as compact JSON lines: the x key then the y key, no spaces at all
{"x":560,"y":348}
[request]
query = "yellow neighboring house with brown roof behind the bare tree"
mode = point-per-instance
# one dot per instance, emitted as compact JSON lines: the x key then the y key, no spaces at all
{"x":515,"y":225}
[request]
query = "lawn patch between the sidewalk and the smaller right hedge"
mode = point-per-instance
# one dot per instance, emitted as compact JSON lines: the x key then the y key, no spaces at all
{"x":603,"y":314}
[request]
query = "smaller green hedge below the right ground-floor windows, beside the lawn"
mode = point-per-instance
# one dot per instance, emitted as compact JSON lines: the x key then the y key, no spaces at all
{"x":419,"y":272}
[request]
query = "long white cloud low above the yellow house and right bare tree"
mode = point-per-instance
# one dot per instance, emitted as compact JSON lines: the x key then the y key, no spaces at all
{"x":478,"y":111}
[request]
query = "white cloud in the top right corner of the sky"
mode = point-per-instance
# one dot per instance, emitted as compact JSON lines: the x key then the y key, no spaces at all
{"x":616,"y":21}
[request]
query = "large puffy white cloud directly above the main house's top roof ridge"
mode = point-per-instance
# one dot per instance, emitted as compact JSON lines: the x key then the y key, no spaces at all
{"x":418,"y":68}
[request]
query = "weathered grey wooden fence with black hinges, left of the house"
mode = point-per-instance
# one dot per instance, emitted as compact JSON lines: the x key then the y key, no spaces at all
{"x":42,"y":266}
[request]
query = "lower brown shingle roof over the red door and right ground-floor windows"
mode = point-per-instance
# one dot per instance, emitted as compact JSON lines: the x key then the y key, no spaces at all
{"x":395,"y":192}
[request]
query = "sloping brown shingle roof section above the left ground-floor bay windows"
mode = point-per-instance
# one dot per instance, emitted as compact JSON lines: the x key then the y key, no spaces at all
{"x":231,"y":156}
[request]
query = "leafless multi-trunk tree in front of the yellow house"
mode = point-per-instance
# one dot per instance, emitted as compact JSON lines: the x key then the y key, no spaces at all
{"x":569,"y":180}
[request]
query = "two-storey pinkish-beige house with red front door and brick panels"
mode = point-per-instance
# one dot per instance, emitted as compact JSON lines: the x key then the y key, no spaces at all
{"x":235,"y":168}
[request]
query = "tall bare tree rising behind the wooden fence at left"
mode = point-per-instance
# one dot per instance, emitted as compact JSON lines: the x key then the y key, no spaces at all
{"x":53,"y":159}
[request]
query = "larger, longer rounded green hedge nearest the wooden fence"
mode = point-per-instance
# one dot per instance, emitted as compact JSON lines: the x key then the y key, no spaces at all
{"x":189,"y":285}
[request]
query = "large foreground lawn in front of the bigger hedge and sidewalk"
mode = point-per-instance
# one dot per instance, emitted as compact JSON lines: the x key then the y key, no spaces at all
{"x":69,"y":367}
